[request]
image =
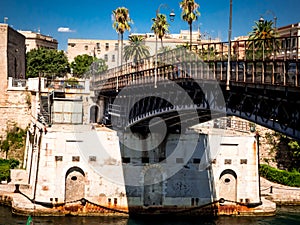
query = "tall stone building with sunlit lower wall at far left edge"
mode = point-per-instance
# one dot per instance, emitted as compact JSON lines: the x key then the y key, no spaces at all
{"x":13,"y":106}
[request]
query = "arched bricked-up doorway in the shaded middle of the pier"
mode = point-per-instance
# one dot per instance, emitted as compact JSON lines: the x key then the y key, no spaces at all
{"x":153,"y":187}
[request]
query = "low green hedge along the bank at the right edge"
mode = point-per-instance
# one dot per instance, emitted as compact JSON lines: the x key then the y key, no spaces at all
{"x":280,"y":176}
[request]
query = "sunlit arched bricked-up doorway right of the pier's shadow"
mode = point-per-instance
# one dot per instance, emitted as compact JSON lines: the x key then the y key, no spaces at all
{"x":228,"y":185}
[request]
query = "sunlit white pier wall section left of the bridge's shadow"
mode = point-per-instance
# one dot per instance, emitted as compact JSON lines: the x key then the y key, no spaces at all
{"x":66,"y":166}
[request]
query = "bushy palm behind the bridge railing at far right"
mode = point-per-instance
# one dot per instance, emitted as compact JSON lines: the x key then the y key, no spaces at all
{"x":261,"y":39}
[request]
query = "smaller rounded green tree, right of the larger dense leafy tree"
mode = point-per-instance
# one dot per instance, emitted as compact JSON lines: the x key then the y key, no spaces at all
{"x":81,"y":65}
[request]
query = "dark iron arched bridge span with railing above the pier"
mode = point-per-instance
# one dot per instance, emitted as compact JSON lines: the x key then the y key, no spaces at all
{"x":253,"y":94}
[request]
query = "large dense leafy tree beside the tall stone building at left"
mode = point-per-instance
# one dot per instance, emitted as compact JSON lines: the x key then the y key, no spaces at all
{"x":47,"y":62}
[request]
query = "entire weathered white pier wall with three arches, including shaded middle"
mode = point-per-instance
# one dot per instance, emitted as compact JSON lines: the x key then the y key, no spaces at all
{"x":75,"y":162}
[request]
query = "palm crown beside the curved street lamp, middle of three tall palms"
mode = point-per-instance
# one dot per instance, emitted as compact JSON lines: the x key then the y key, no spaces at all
{"x":160,"y":27}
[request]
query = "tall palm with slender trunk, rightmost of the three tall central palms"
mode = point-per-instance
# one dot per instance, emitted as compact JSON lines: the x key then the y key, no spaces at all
{"x":189,"y":14}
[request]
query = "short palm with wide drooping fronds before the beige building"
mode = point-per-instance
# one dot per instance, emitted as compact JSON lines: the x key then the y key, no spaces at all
{"x":136,"y":50}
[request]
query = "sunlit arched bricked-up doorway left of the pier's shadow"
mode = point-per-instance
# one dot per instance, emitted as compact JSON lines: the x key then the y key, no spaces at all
{"x":75,"y":187}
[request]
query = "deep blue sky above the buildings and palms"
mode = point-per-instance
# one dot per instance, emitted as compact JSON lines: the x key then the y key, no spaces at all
{"x":91,"y":19}
